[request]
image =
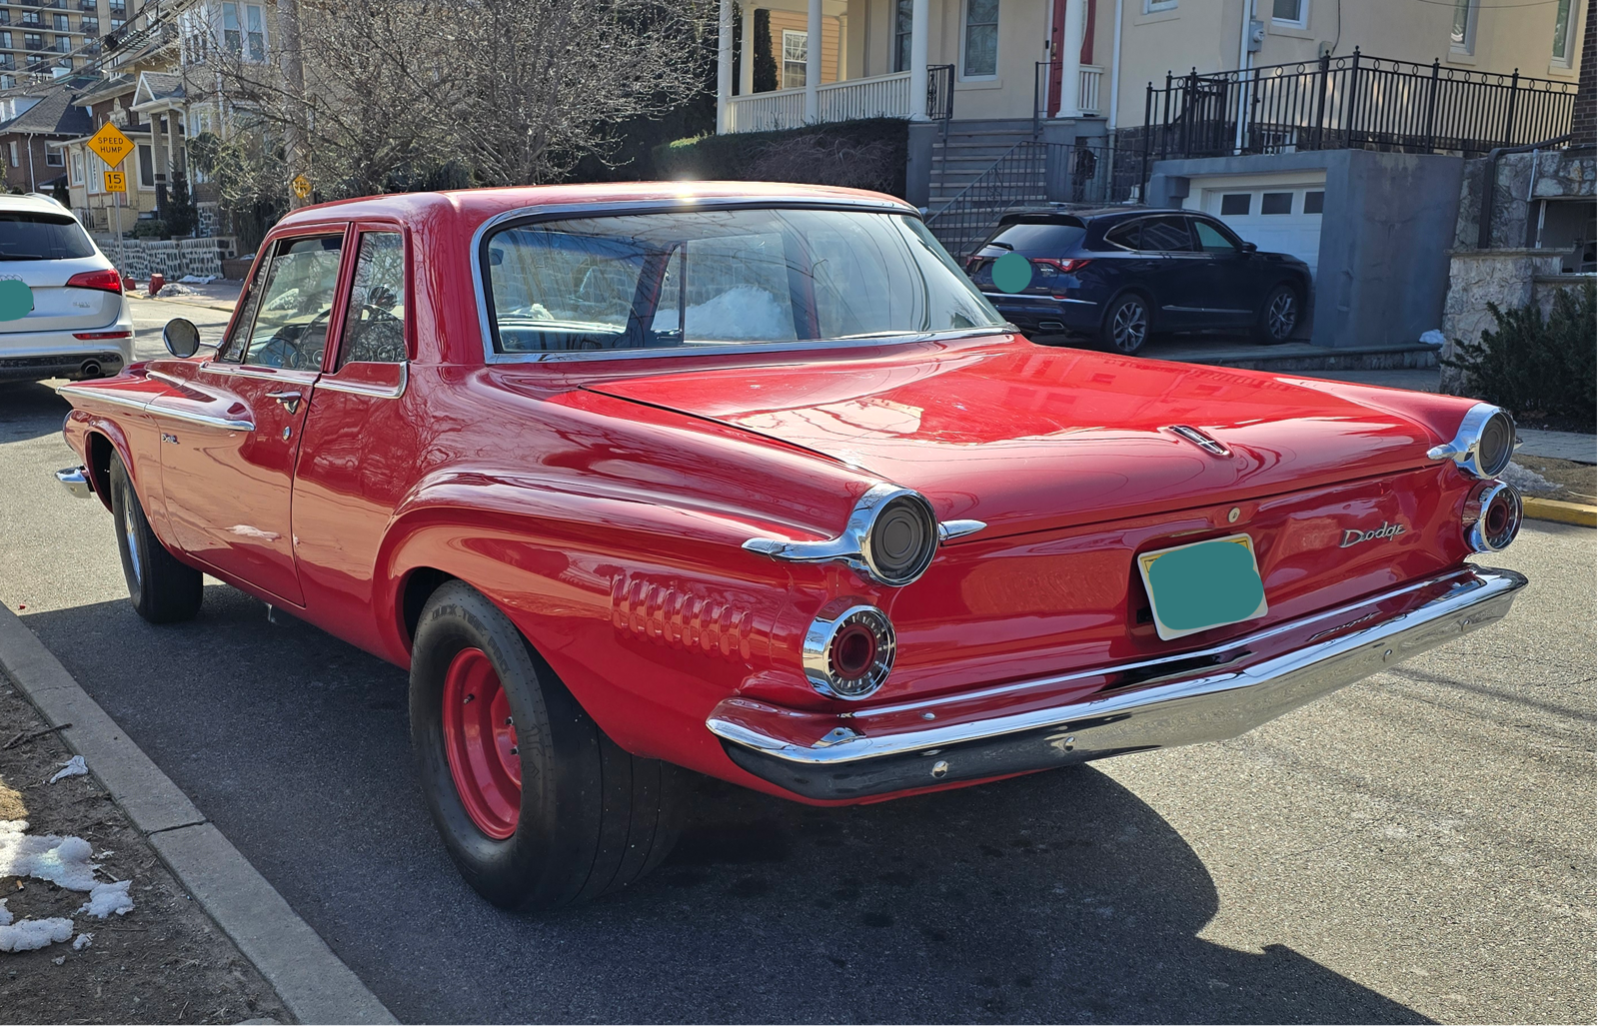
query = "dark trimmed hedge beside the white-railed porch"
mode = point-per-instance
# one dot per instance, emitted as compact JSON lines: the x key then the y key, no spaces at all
{"x":866,"y":154}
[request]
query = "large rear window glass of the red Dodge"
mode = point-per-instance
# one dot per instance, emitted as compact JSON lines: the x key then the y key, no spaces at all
{"x":719,"y":278}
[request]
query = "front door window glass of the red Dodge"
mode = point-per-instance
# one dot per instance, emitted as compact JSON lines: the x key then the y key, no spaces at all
{"x":287,"y":323}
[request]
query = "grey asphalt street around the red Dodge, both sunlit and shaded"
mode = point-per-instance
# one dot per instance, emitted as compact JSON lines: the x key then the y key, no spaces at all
{"x":1417,"y":848}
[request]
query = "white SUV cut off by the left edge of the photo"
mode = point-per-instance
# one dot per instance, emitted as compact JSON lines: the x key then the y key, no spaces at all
{"x":79,"y":326}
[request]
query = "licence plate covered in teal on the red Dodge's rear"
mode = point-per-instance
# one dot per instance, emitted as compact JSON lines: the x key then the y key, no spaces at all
{"x":1202,"y":585}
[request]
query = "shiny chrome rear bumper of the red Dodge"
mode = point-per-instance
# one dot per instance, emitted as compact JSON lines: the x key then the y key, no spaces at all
{"x":1178,"y":700}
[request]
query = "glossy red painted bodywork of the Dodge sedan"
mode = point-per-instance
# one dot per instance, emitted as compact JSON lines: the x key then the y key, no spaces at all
{"x":602,"y":503}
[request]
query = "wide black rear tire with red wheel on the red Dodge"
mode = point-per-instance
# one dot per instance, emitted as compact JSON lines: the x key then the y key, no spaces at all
{"x":535,"y":804}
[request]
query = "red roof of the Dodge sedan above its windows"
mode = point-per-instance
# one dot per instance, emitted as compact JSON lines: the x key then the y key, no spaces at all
{"x":478,"y":206}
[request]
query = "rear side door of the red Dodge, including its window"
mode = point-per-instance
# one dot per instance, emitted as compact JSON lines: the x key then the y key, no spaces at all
{"x":362,"y":435}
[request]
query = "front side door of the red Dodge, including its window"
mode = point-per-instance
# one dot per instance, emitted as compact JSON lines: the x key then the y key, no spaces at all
{"x":230,"y":483}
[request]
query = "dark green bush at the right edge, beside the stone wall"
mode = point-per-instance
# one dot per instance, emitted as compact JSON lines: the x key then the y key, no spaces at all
{"x":1535,"y":366}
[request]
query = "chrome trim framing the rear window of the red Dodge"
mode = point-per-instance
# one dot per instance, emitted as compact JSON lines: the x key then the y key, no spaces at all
{"x":556,"y":212}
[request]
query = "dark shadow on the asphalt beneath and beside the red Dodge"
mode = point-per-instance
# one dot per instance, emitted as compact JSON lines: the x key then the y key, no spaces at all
{"x":1058,"y":897}
